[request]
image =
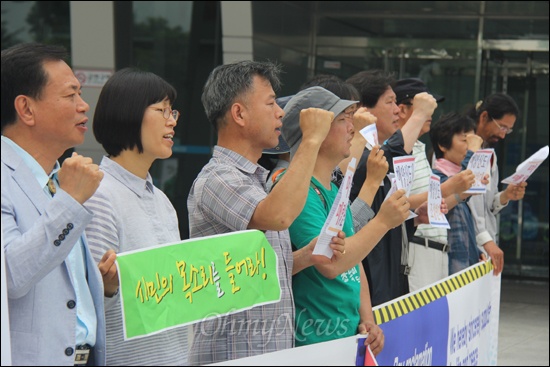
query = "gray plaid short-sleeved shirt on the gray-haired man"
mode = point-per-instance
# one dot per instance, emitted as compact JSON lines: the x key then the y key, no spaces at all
{"x":222,"y":199}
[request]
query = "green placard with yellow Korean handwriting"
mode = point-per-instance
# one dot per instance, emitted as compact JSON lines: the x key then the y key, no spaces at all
{"x":182,"y":283}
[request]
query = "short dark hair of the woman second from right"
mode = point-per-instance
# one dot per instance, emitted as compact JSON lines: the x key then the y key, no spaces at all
{"x":448,"y":125}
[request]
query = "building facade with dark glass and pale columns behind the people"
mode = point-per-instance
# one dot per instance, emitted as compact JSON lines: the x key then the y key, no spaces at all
{"x":462,"y":50}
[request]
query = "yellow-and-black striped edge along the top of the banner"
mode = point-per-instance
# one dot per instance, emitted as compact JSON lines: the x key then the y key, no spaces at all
{"x":421,"y":298}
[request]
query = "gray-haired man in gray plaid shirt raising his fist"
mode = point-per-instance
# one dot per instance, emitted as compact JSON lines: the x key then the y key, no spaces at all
{"x":229,"y":195}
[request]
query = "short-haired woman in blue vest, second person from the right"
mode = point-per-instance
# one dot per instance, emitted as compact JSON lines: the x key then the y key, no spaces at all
{"x":450,"y":144}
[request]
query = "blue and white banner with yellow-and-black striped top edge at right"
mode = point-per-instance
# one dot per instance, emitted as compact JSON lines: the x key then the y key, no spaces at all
{"x":452,"y":322}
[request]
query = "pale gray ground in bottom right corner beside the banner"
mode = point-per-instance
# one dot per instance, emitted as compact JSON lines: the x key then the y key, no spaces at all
{"x":523,"y":328}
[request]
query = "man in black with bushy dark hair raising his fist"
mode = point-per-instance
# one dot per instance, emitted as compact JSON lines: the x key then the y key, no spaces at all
{"x":386,"y":266}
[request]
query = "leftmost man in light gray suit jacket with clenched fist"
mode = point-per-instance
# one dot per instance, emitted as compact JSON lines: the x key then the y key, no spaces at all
{"x":55,"y":289}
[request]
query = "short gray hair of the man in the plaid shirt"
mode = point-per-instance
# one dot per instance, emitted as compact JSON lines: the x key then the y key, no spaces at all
{"x":228,"y":82}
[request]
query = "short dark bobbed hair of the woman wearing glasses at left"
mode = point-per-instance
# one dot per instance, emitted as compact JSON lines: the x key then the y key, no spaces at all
{"x":121,"y":107}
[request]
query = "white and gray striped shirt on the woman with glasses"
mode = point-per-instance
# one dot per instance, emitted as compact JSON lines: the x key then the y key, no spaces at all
{"x":129,"y":214}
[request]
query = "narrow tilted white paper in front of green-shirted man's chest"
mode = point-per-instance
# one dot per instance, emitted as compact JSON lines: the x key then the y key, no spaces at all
{"x":337,"y":215}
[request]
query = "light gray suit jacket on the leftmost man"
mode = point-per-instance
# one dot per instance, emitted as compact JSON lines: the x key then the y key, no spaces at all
{"x":40,"y":288}
